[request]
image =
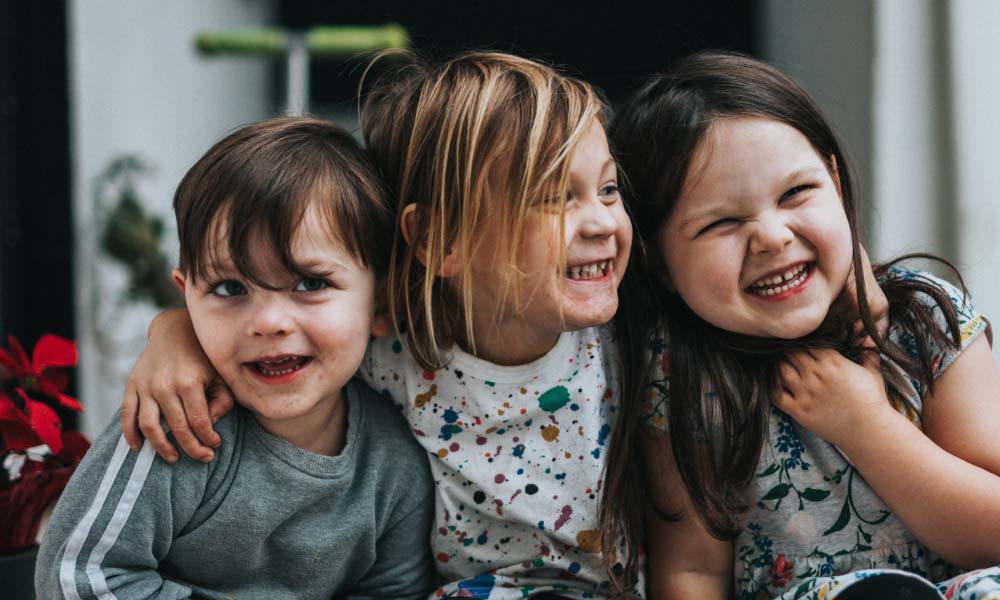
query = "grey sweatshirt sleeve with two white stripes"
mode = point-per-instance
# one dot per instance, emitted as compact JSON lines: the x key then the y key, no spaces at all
{"x":115,"y":522}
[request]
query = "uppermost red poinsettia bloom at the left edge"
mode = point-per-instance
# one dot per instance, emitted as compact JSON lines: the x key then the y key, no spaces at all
{"x":42,"y":374}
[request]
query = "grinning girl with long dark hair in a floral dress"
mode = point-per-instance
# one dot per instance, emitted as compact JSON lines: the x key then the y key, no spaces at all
{"x":783,"y":465}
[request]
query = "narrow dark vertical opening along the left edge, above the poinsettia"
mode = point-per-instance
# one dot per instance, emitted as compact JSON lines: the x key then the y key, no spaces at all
{"x":36,"y":237}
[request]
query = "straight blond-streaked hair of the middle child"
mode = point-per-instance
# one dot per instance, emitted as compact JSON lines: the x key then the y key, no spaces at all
{"x":482,"y":135}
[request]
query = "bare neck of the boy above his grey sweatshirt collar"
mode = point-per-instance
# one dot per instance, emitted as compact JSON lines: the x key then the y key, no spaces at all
{"x":323,"y":430}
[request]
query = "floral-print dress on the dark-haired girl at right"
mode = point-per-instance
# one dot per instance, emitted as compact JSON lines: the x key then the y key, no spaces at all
{"x":815,"y":525}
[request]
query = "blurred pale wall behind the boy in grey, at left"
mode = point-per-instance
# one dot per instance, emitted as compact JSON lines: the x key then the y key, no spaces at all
{"x":137,"y":86}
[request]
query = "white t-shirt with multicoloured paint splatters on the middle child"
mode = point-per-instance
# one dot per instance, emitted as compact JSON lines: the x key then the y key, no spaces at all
{"x":517,"y":454}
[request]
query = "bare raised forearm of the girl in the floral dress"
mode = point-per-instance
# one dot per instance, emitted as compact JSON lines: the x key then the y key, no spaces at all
{"x":950,"y":505}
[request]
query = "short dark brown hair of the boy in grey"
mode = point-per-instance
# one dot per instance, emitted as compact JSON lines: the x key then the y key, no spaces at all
{"x":255,"y":186}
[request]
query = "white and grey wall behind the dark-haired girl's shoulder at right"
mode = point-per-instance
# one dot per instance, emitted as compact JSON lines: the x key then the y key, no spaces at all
{"x":912,"y":87}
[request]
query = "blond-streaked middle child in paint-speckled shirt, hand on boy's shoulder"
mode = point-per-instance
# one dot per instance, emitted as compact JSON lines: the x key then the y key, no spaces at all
{"x":505,"y":268}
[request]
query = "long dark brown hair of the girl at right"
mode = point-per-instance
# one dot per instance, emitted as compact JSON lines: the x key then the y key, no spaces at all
{"x":717,"y":437}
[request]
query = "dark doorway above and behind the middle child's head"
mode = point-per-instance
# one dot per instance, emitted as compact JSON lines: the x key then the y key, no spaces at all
{"x":610,"y":44}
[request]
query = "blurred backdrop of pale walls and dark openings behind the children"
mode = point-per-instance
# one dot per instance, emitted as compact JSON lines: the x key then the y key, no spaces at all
{"x":104,"y":104}
